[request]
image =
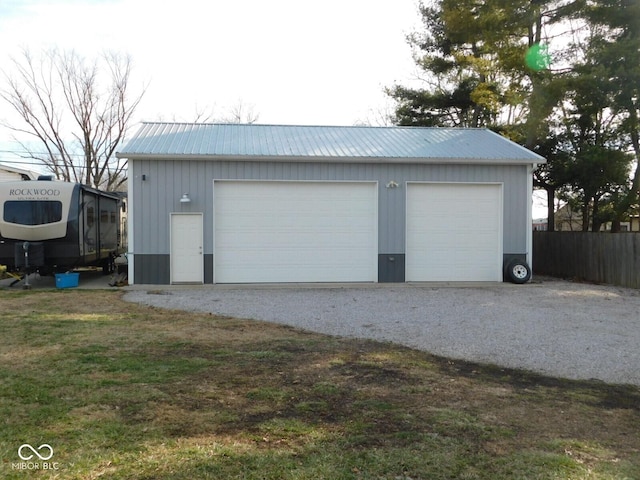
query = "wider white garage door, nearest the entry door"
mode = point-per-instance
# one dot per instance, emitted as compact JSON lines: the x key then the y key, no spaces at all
{"x":295,"y":232}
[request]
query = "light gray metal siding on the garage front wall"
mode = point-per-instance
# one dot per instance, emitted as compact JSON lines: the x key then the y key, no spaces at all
{"x":166,"y":180}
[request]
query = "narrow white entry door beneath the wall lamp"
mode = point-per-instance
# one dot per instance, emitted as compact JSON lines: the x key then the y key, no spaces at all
{"x":187,"y":264}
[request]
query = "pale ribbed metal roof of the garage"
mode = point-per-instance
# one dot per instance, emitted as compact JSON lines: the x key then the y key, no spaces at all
{"x":323,"y":143}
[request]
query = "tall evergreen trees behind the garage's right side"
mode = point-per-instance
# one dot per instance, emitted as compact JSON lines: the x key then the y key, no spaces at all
{"x":560,"y":77}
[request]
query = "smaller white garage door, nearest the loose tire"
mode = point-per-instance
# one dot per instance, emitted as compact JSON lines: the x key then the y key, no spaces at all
{"x":454,"y":232}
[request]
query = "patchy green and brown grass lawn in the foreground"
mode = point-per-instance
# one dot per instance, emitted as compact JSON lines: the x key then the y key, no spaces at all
{"x":123,"y":391}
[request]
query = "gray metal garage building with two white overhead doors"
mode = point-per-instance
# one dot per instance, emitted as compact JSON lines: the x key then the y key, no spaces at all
{"x":233,"y":203}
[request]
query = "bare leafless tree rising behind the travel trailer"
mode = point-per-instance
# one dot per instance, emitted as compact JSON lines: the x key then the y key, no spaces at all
{"x":77,"y":110}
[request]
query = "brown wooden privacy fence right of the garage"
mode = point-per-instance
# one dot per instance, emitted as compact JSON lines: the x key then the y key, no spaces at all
{"x":612,"y":258}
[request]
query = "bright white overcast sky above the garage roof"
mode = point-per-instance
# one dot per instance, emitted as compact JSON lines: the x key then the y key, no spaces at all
{"x":288,"y":61}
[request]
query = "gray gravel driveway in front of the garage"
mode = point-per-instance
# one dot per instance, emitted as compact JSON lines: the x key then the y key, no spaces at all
{"x":550,"y":326}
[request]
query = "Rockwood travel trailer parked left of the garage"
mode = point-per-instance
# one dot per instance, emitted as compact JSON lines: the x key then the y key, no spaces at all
{"x":53,"y":226}
